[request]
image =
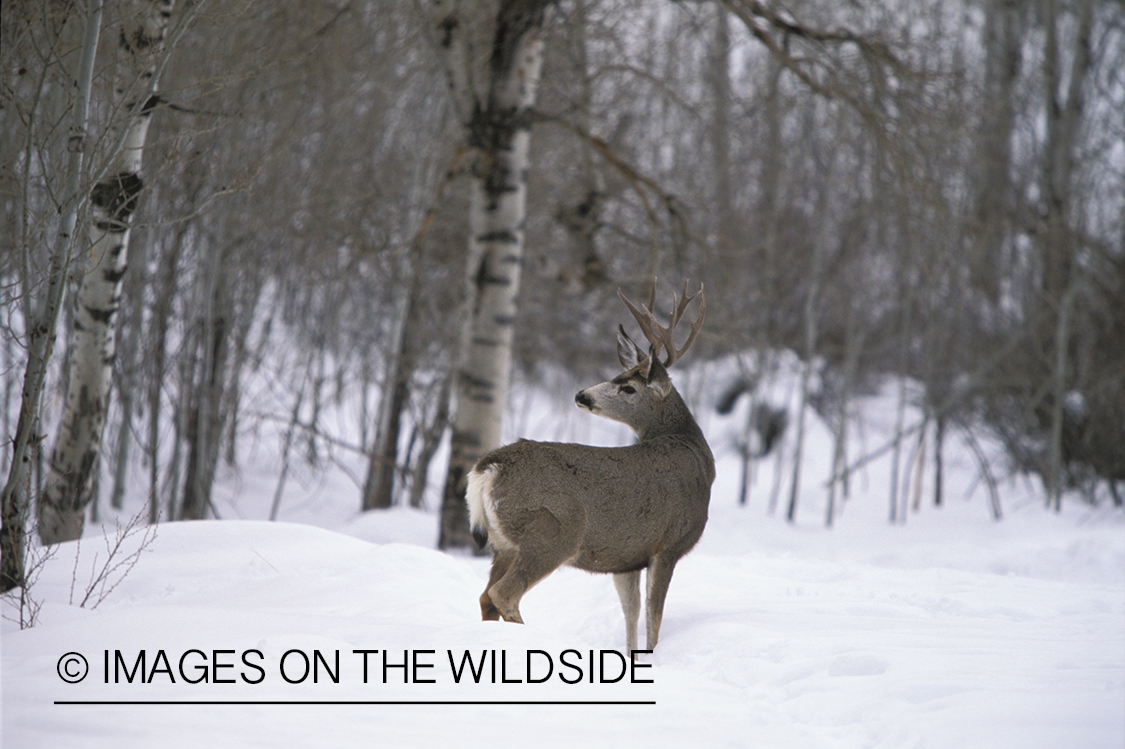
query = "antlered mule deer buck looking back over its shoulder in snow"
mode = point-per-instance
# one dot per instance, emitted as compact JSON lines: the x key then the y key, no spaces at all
{"x":542,"y":506}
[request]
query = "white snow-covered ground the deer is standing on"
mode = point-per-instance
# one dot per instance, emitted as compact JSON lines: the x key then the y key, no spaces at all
{"x":951,"y":630}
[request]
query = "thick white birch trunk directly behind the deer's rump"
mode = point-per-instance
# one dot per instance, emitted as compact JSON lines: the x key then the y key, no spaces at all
{"x":494,"y":57}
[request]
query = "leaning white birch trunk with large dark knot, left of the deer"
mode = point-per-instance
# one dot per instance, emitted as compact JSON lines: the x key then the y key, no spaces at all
{"x":93,"y":346}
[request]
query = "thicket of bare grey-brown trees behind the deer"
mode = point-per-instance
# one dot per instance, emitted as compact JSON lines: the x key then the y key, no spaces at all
{"x":932,"y":189}
